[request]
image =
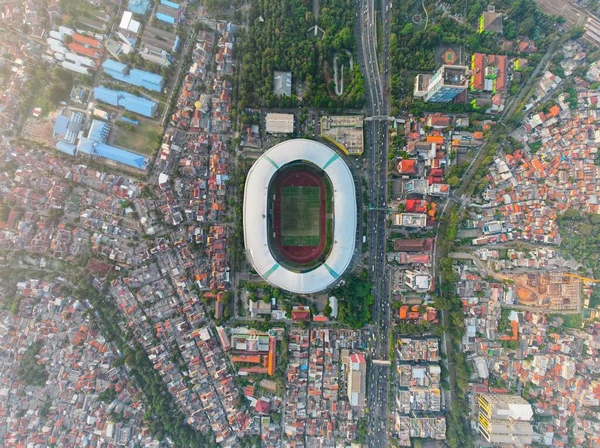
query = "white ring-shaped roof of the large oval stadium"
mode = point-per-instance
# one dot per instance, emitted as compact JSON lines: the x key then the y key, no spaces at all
{"x":255,"y":216}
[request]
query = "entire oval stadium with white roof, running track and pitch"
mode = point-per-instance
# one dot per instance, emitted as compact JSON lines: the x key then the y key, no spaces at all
{"x":300,"y":216}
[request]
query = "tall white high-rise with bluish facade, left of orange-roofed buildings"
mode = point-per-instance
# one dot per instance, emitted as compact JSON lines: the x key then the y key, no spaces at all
{"x":443,"y":85}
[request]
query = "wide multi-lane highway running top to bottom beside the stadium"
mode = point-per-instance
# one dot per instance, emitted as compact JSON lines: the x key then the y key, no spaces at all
{"x":377,"y":154}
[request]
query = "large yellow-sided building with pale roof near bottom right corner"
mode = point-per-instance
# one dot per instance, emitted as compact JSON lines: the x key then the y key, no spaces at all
{"x":505,"y":419}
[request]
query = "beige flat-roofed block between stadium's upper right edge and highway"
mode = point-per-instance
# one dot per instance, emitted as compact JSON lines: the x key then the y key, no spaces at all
{"x":346,"y":132}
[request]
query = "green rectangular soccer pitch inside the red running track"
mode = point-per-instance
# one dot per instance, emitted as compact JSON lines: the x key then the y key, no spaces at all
{"x":300,"y":213}
